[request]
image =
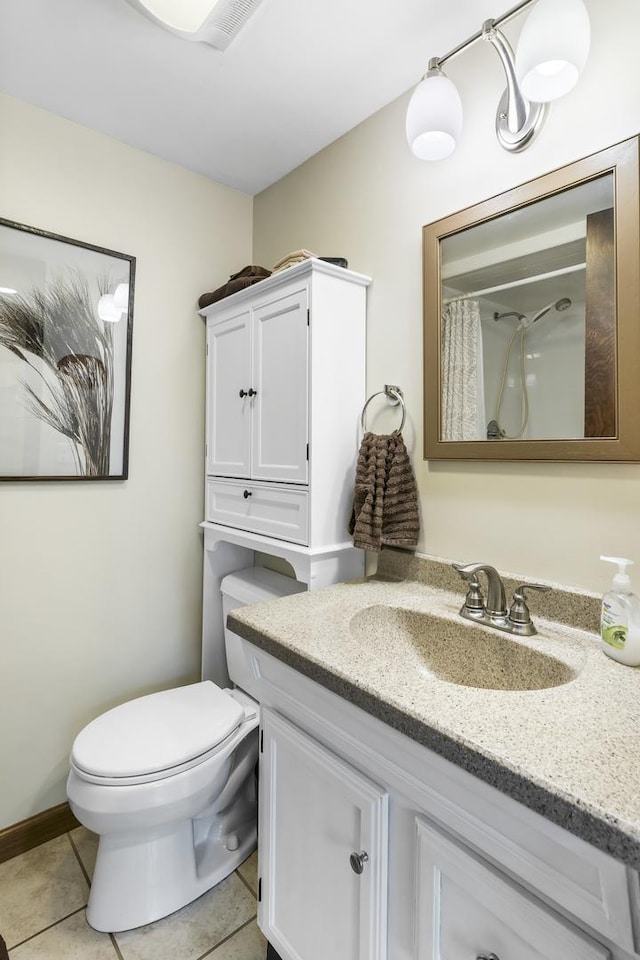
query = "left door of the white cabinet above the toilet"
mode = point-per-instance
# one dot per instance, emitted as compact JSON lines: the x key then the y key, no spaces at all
{"x":229,"y":414}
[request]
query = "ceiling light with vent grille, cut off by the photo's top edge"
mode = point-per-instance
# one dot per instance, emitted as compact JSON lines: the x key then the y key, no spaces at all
{"x":215,"y":22}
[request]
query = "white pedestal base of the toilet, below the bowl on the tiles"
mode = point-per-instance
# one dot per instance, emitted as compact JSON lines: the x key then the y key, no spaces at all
{"x":138,"y":879}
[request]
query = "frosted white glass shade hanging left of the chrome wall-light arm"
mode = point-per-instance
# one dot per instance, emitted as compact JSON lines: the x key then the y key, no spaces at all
{"x":434,"y":117}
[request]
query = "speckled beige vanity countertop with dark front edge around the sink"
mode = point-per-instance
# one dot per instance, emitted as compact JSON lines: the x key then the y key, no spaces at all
{"x":570,"y":752}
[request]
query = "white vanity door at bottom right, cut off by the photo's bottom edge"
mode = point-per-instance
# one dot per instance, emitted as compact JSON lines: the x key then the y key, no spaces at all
{"x":466,"y":909}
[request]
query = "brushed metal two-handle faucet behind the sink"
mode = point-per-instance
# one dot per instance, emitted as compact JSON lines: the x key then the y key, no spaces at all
{"x":494,"y":613}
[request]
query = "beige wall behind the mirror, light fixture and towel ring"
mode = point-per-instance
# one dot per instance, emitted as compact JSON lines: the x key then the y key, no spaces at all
{"x":366,"y":198}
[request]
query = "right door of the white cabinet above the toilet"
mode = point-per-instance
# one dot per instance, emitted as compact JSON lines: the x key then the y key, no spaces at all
{"x":281,"y":379}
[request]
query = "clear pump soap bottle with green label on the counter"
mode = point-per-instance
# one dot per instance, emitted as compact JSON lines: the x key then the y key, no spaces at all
{"x":620,"y":622}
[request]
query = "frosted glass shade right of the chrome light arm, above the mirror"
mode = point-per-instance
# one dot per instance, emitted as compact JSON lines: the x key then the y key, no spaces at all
{"x":552,"y":49}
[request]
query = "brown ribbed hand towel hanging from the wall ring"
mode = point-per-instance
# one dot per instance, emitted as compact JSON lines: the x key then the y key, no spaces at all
{"x":385,"y":503}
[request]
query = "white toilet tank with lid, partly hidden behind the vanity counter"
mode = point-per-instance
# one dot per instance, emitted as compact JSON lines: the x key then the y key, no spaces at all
{"x":251,"y":585}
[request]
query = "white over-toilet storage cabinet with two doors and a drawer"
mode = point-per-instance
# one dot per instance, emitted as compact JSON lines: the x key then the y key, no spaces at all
{"x":285,"y":388}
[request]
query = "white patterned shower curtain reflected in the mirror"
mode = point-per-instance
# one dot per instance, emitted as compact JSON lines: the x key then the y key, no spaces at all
{"x":463,"y":413}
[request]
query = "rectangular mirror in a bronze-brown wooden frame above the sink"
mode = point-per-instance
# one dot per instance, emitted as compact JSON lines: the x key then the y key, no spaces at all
{"x":532,"y":319}
